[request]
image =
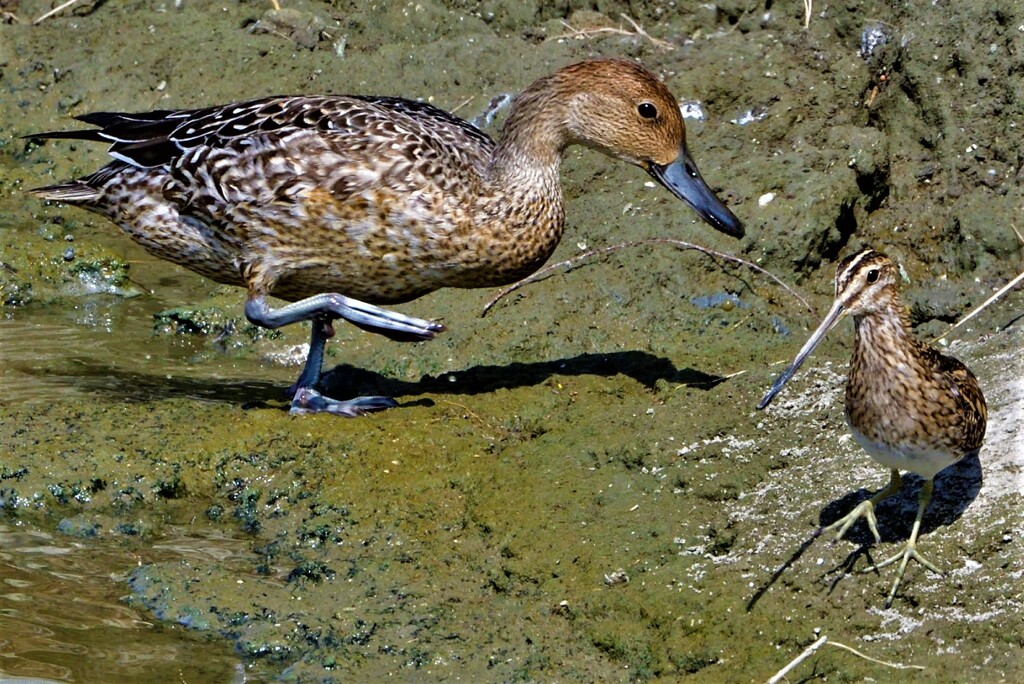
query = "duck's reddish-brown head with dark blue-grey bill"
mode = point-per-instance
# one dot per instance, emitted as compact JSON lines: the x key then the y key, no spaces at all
{"x":621,"y":109}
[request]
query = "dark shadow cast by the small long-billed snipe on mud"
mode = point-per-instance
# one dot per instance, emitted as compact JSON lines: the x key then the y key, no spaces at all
{"x":956,"y":490}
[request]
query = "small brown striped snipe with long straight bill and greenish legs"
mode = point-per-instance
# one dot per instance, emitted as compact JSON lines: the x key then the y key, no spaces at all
{"x":910,"y":407}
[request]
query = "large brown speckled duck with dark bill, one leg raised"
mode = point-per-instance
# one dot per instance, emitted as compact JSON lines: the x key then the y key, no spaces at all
{"x":336,"y":204}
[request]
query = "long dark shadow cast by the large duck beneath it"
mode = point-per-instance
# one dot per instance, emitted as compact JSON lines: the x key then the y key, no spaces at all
{"x":348,"y":381}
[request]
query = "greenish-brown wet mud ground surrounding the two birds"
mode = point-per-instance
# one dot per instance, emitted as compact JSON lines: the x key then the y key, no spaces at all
{"x":578,"y":487}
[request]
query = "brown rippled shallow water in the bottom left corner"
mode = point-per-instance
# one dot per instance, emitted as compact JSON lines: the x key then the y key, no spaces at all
{"x":63,"y":618}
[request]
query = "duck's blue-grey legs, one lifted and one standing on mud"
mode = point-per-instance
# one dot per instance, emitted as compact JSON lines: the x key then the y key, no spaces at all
{"x":321,"y":311}
